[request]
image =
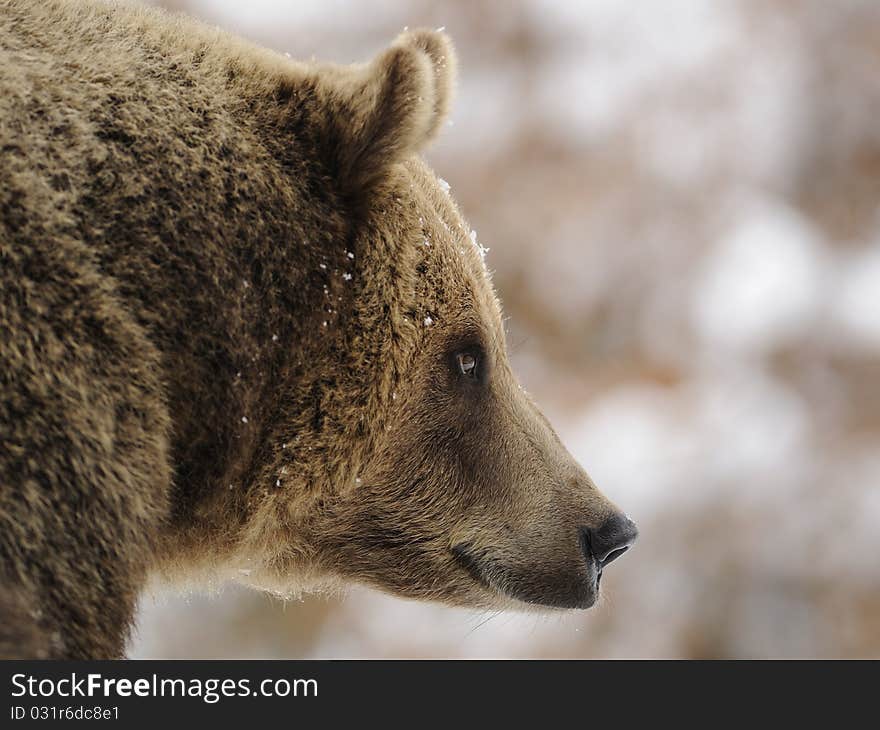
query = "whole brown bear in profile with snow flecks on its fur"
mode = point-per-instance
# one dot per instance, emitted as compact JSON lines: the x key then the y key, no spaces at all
{"x":245,"y":331}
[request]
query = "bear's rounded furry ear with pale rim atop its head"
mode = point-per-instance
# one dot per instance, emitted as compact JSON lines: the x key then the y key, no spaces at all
{"x":390,"y":108}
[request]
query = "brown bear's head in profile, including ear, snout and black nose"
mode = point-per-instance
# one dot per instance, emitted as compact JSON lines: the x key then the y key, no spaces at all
{"x":407,"y":456}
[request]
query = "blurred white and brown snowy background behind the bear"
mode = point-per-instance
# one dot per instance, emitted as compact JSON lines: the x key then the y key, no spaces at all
{"x":683,"y":205}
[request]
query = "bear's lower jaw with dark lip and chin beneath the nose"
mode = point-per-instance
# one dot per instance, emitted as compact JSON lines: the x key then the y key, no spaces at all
{"x":558,"y":591}
